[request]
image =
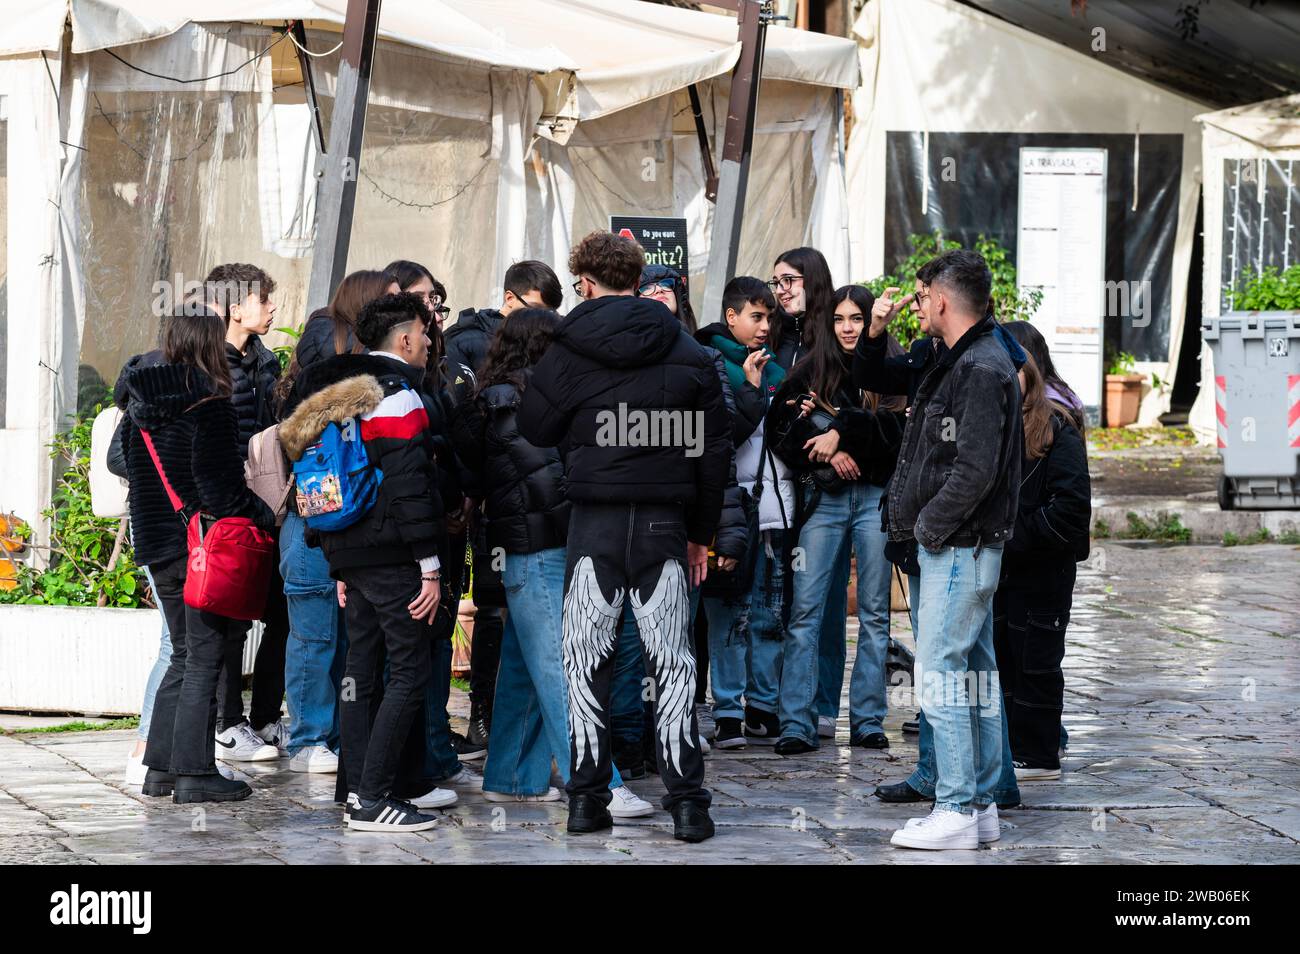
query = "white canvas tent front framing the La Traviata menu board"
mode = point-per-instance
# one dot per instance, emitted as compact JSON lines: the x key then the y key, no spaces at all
{"x":941,"y":70}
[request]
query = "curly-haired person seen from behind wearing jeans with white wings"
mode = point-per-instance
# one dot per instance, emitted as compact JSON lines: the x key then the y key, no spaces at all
{"x":638,"y":409}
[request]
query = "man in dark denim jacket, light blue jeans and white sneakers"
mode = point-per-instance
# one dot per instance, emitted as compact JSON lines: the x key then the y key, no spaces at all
{"x":955,"y":492}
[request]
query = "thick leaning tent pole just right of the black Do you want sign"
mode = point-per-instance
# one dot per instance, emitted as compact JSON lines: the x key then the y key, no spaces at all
{"x":734,"y":177}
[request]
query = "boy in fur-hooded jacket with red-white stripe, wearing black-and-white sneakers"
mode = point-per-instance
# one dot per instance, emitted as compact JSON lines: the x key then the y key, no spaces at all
{"x":387,"y":563}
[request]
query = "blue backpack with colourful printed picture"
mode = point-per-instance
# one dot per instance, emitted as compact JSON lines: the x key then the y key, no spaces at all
{"x":336,"y":483}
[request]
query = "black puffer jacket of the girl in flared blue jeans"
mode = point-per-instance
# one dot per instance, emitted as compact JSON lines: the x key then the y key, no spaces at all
{"x":525,"y":505}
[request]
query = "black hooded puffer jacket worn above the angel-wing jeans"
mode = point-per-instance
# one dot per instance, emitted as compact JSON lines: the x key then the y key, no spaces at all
{"x":619,"y":361}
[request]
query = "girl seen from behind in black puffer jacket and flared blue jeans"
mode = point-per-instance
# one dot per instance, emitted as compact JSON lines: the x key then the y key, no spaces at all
{"x":527,"y":518}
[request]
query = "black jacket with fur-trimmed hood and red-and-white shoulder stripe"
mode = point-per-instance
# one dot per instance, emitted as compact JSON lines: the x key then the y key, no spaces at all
{"x":406,"y":523}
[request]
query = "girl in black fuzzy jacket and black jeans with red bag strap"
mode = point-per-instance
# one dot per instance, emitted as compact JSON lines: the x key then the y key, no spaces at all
{"x":184,"y":409}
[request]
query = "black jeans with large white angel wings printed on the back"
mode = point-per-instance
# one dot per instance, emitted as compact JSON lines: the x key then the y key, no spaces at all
{"x":635,"y":552}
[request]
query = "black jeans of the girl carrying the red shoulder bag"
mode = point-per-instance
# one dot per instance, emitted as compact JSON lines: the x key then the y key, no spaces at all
{"x":185,"y":709}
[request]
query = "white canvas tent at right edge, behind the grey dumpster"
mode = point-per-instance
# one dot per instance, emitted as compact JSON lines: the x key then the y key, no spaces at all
{"x":1251,"y":157}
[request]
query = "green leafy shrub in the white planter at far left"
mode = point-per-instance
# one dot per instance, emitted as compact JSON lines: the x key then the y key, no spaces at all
{"x":81,"y":544}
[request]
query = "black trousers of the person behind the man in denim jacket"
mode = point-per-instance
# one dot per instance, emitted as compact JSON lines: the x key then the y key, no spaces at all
{"x":1030,"y":618}
